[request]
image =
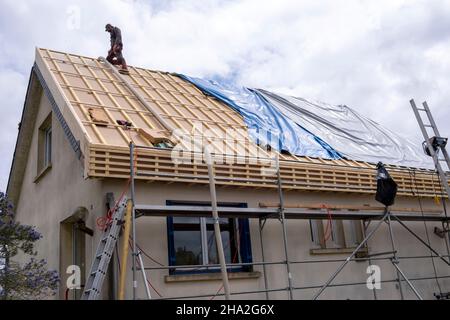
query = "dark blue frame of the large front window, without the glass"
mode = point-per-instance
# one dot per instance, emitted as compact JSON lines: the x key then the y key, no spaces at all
{"x":240,"y":225}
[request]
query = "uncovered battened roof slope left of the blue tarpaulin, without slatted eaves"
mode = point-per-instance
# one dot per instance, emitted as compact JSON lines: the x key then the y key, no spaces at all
{"x":87,"y":84}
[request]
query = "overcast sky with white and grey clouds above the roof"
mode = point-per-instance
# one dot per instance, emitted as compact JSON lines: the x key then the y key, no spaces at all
{"x":373,"y":56}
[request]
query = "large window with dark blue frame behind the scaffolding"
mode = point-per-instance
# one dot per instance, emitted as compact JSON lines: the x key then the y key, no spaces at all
{"x":192,"y":242}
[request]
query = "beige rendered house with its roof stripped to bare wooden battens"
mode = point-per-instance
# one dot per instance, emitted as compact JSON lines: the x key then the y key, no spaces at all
{"x":72,"y":162}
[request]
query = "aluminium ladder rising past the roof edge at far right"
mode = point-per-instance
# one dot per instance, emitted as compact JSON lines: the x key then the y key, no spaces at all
{"x":434,"y":153}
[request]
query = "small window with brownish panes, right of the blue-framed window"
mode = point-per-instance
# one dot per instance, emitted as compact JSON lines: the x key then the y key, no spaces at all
{"x":335,"y":234}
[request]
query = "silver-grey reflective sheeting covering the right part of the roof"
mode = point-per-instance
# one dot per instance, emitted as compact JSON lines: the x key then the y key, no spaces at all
{"x":352,"y":135}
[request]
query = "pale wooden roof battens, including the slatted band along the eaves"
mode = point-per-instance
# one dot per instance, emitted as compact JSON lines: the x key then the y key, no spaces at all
{"x":85,"y":83}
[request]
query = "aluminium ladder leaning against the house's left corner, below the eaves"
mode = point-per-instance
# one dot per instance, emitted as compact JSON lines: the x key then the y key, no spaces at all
{"x":104,"y":253}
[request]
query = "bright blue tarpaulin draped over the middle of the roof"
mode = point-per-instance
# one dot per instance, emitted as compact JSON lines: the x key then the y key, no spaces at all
{"x":266,"y":124}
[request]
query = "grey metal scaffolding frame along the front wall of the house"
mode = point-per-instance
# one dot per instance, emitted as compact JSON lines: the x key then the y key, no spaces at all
{"x":282,"y":214}
